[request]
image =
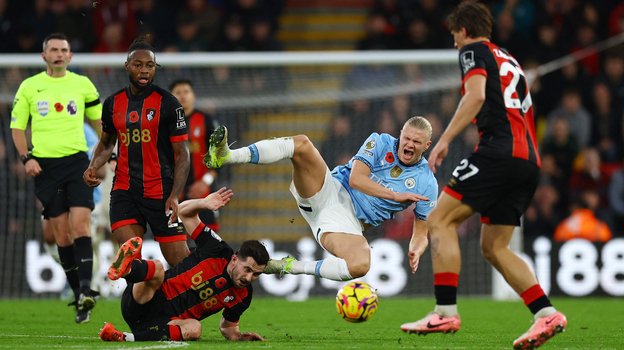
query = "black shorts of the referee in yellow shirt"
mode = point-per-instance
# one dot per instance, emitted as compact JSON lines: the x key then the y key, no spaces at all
{"x":60,"y":185}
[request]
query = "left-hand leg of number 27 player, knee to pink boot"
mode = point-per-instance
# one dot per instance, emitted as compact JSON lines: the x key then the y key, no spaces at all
{"x":446,"y":257}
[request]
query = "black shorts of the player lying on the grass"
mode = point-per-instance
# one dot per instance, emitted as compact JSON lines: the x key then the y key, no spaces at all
{"x":143,"y":317}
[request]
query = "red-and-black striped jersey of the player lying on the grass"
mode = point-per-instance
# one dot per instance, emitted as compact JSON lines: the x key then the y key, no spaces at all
{"x":199,"y":286}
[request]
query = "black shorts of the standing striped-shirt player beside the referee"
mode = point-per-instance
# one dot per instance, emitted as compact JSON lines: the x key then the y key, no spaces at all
{"x":127,"y":208}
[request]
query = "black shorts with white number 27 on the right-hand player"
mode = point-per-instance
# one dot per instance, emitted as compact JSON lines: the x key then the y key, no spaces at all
{"x":500,"y":189}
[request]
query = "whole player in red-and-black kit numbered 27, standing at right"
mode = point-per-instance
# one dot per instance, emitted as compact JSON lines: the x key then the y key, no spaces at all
{"x":498,"y":180}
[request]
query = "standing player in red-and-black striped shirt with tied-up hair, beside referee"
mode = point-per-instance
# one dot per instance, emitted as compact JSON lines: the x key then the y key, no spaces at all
{"x":153,"y":157}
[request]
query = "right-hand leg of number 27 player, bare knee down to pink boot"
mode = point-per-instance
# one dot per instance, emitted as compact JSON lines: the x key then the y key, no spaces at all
{"x":548,"y":321}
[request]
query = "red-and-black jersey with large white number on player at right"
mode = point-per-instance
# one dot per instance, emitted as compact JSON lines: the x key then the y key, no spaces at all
{"x":505,"y":121}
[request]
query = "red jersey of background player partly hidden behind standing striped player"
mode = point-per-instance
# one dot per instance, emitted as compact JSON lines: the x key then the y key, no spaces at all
{"x":200,"y":126}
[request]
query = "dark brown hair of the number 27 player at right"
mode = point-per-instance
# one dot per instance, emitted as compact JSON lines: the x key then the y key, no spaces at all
{"x":475,"y":17}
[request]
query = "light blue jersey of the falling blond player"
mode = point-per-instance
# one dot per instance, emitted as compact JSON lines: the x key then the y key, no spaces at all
{"x":379,"y":153}
